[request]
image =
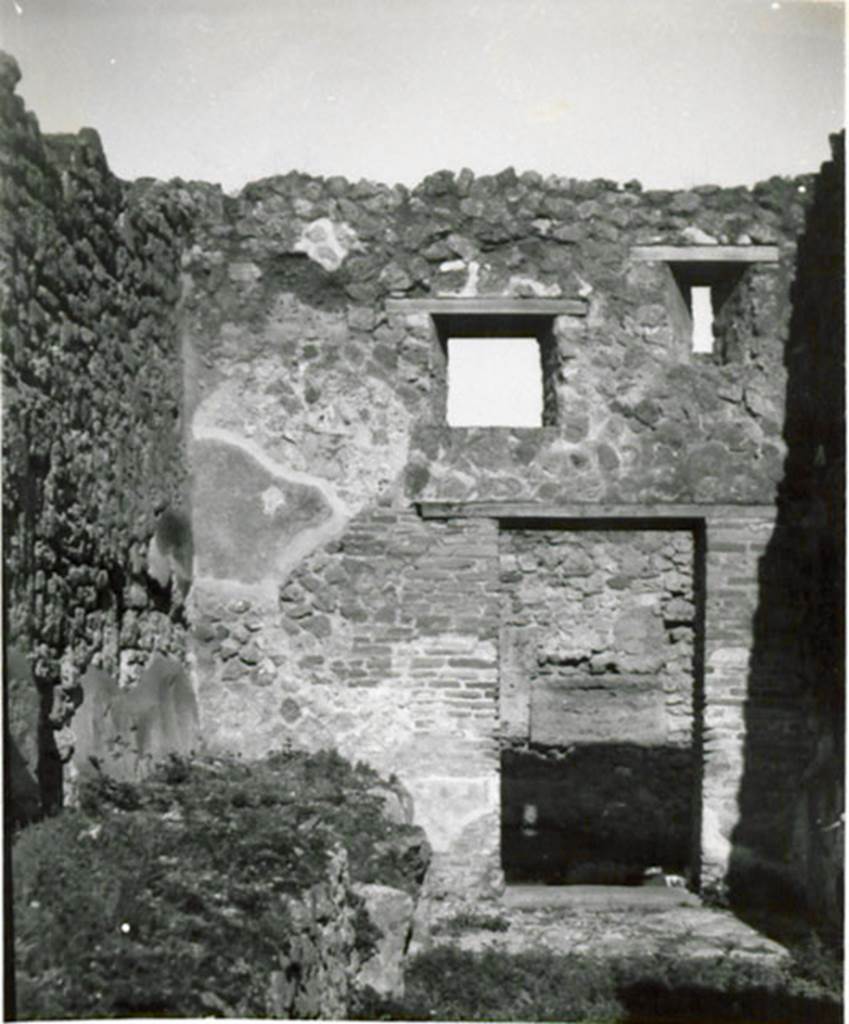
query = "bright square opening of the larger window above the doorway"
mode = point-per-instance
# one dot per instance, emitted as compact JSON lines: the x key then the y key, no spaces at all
{"x":494,"y":382}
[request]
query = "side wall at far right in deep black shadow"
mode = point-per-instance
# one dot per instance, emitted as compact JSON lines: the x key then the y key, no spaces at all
{"x":788,"y":846}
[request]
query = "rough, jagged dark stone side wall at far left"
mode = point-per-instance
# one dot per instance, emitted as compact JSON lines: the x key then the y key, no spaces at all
{"x":93,"y":423}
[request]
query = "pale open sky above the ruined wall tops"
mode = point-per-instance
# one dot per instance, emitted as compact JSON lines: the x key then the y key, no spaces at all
{"x":671,"y":93}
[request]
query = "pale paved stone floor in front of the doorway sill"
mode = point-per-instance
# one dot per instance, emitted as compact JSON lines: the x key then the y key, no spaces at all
{"x":616,"y":921}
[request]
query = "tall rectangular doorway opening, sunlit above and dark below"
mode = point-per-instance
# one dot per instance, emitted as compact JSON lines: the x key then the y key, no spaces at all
{"x":601,"y":702}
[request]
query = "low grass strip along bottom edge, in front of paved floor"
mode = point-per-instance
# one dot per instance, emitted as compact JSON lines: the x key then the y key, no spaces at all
{"x":446,"y":984}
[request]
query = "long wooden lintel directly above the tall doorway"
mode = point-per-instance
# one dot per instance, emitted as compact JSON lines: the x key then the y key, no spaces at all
{"x":580,"y":510}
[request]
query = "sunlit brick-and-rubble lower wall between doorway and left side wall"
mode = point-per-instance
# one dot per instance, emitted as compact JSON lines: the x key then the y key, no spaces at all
{"x":378,"y":647}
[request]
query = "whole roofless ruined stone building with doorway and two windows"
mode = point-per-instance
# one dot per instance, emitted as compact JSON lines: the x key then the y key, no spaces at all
{"x":585,"y":648}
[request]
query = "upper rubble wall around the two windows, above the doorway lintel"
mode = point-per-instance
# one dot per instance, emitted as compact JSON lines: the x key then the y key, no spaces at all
{"x":304,"y":355}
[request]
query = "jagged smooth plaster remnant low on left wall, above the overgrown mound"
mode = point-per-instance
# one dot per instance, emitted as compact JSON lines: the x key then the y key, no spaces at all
{"x":125,"y":732}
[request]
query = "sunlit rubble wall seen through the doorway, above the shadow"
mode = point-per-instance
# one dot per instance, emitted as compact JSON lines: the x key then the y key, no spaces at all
{"x":597,"y":642}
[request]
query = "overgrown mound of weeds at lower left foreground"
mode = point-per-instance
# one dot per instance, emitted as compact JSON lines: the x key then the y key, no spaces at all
{"x":165,"y":898}
